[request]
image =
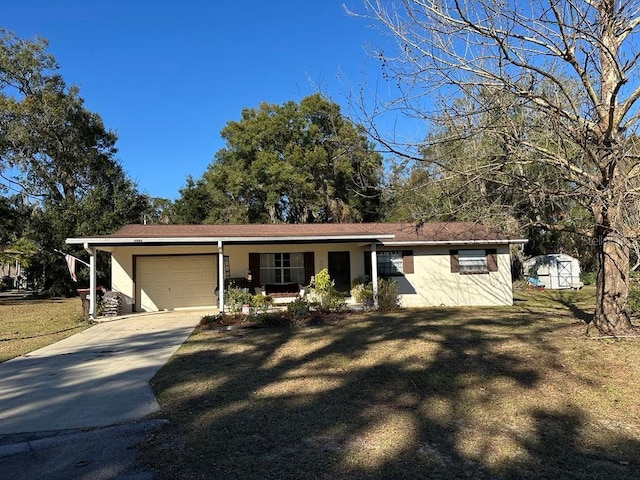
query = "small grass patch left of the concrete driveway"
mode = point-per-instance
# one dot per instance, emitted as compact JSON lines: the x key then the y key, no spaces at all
{"x":26,"y":325}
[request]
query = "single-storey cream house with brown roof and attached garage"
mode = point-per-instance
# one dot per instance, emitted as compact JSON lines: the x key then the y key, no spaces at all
{"x":157,"y":267}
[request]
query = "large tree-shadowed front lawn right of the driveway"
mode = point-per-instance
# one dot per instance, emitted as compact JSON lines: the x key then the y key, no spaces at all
{"x":480,"y":393}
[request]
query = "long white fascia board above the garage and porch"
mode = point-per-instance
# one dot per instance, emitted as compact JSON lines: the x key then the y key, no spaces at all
{"x":114,"y":241}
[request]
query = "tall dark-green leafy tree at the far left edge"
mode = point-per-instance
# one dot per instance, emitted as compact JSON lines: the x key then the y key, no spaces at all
{"x":60,"y":156}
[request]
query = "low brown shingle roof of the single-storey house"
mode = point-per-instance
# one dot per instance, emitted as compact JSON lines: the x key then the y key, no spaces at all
{"x":401,"y":232}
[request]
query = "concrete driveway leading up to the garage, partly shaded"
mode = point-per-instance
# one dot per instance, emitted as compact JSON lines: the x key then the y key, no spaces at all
{"x":95,"y":378}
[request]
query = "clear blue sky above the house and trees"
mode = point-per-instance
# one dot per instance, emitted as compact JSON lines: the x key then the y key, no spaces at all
{"x":167,"y":76}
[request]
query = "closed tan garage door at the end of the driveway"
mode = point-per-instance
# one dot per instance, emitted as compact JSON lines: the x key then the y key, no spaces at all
{"x":176,"y":281}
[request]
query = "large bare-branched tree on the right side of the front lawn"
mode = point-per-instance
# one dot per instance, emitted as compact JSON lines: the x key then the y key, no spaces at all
{"x":571,"y":67}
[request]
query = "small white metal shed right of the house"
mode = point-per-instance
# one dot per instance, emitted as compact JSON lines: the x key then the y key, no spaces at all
{"x":555,"y":270}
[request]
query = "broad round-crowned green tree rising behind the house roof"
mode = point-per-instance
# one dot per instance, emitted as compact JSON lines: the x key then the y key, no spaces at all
{"x":295,"y":162}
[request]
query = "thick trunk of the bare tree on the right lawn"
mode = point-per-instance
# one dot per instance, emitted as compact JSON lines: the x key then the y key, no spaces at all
{"x":612,"y":316}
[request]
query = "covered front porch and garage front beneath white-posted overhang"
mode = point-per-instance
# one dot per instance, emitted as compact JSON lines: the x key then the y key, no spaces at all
{"x":183,"y":273}
